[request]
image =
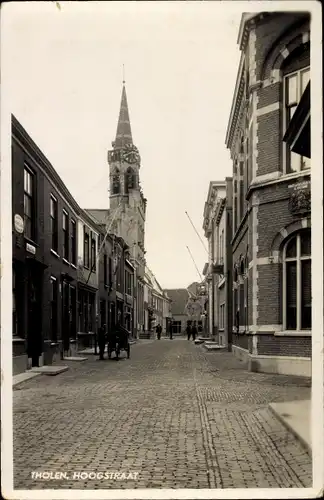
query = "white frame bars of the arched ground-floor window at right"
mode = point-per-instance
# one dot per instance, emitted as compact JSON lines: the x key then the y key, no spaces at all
{"x":298,"y":259}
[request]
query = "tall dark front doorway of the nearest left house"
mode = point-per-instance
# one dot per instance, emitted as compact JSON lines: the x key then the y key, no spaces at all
{"x":34,"y":313}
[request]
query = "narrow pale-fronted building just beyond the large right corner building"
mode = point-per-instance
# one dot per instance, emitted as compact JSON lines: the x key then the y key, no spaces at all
{"x":218,"y":231}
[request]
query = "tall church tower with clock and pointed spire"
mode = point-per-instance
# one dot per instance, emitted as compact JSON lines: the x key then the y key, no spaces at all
{"x":127,"y":198}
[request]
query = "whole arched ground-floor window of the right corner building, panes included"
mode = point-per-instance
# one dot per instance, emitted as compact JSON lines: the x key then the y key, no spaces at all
{"x":297,"y":282}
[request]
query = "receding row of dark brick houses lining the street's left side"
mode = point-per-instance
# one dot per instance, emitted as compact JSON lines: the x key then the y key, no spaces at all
{"x":62,"y":286}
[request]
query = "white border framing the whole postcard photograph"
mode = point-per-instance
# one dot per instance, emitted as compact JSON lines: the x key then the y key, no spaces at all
{"x":317,"y":273}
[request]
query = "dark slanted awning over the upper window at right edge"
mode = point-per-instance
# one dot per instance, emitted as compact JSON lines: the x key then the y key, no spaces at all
{"x":297,"y":135}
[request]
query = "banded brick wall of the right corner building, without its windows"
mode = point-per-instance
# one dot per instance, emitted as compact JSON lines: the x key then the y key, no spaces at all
{"x":273,"y":45}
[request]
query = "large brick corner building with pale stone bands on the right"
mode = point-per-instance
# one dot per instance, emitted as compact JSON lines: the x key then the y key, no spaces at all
{"x":271,"y":245}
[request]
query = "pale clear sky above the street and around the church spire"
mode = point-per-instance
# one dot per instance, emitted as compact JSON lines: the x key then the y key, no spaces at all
{"x":64,"y":70}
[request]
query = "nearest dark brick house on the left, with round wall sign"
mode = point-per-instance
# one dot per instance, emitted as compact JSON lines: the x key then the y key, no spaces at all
{"x":45,"y":232}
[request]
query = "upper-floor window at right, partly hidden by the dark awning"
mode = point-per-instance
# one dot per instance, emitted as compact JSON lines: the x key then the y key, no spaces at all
{"x":295,"y":84}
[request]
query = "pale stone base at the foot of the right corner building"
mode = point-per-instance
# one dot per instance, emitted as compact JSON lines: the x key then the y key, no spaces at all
{"x":284,"y":365}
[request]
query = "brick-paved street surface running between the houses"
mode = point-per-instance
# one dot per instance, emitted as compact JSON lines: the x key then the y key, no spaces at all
{"x":179,"y":416}
